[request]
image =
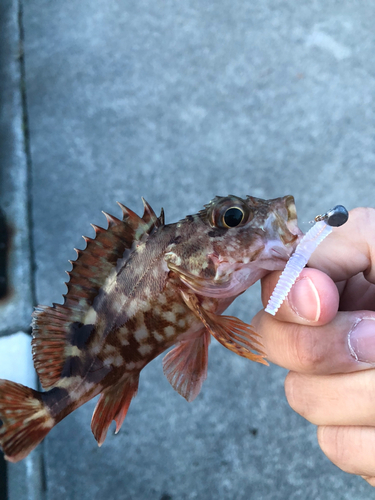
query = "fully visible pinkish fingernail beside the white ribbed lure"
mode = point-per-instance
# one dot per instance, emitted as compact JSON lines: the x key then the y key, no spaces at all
{"x":304,"y":299}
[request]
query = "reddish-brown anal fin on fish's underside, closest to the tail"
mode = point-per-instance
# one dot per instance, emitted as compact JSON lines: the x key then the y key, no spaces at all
{"x":113,"y":405}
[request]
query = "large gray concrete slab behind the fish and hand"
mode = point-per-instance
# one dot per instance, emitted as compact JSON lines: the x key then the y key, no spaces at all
{"x":179,"y":102}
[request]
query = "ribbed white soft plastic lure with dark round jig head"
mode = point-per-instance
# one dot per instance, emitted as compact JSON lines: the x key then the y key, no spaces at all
{"x":323,"y":227}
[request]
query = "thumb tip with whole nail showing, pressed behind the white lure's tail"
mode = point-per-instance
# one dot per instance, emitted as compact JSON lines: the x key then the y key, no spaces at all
{"x":313,"y":299}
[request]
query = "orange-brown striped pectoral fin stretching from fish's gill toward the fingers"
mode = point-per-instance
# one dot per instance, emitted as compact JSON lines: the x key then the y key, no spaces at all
{"x":231,"y":332}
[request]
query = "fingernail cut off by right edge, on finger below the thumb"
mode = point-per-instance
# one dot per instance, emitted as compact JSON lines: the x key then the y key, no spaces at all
{"x":361,"y":340}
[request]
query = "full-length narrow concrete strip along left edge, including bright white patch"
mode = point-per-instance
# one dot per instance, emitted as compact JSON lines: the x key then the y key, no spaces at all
{"x":16,"y":304}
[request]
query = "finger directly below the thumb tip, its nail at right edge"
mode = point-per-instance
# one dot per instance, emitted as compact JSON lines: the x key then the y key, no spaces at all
{"x":346,"y":344}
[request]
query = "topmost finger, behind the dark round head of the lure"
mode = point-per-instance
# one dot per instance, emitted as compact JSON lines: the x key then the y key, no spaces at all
{"x":350,"y":249}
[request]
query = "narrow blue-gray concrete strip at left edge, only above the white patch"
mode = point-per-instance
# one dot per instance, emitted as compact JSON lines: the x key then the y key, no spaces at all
{"x":16,"y":304}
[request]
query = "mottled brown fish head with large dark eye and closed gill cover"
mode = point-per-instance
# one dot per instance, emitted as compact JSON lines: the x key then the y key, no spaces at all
{"x":233,"y":242}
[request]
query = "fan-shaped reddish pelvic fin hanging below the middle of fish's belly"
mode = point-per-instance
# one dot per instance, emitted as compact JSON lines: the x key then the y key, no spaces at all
{"x":185,"y":366}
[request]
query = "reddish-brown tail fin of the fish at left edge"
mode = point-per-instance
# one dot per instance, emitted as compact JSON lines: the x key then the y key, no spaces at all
{"x":24,"y":420}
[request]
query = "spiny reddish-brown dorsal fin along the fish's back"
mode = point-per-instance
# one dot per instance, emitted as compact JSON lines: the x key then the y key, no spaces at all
{"x":52,"y":326}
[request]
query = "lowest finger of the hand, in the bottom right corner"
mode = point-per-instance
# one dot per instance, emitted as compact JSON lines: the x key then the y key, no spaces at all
{"x":350,"y":448}
